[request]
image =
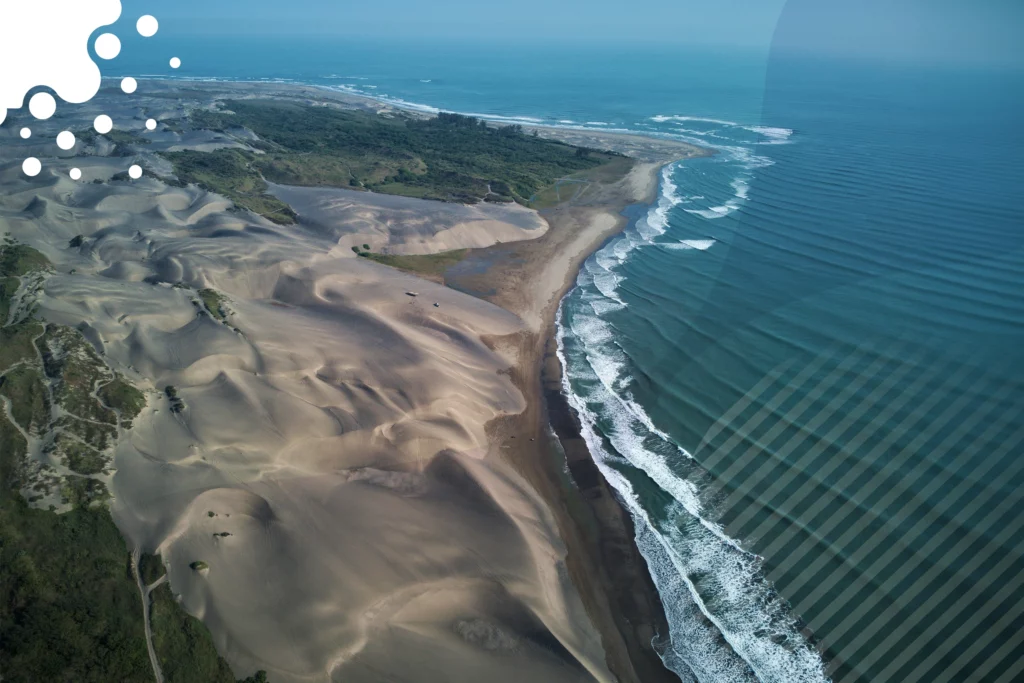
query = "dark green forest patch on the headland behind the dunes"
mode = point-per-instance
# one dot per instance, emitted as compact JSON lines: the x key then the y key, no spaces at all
{"x":449,"y":158}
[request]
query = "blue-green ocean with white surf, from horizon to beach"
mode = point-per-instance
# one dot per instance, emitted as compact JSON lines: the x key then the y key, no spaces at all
{"x":802,"y":368}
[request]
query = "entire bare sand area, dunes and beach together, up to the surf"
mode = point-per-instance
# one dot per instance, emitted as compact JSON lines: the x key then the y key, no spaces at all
{"x":361,"y":459}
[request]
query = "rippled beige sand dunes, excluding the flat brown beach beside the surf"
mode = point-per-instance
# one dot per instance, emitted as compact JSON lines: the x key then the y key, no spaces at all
{"x":325,"y":454}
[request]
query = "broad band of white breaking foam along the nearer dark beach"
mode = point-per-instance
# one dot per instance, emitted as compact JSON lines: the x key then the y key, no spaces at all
{"x":734,"y":595}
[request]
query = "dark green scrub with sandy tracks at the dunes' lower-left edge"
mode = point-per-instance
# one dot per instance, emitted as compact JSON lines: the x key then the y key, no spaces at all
{"x":70,"y":608}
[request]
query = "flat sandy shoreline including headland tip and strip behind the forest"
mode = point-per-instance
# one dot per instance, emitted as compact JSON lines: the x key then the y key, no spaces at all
{"x":602,"y":554}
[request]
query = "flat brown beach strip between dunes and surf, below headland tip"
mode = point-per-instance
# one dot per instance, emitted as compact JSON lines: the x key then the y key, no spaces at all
{"x":604,"y":561}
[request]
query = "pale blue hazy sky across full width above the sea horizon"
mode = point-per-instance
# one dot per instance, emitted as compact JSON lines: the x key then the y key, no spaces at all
{"x":922,"y":30}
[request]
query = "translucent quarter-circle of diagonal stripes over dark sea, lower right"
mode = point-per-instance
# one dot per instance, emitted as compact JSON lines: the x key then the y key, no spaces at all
{"x":882,"y":489}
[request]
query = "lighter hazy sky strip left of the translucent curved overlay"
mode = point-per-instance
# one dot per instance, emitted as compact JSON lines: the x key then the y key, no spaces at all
{"x":715,"y":22}
